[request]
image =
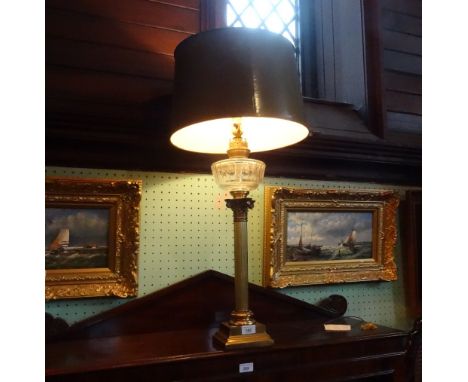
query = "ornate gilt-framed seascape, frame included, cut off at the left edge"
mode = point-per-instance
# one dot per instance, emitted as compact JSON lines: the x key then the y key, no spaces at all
{"x":91,"y":237}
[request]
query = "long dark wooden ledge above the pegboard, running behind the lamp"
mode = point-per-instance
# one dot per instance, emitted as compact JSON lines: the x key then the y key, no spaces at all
{"x":318,"y":158}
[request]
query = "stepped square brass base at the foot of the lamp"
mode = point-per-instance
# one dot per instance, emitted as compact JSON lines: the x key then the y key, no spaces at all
{"x":230,"y":337}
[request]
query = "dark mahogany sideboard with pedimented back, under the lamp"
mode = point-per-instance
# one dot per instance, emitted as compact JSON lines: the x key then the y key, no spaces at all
{"x":167,"y":336}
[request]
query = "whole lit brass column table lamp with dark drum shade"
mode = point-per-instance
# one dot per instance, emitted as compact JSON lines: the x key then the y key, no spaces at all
{"x":236,"y":90}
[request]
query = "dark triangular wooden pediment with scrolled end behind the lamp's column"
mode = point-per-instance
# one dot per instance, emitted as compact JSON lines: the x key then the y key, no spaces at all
{"x":202,"y":301}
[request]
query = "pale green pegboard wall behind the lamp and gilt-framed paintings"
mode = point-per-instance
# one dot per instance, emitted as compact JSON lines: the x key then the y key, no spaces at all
{"x":186,"y":229}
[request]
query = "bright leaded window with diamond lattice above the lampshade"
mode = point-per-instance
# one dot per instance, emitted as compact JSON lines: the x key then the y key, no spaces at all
{"x":279,"y":16}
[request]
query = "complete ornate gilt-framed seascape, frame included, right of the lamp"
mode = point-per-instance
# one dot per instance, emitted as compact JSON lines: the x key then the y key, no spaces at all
{"x":328,"y":236}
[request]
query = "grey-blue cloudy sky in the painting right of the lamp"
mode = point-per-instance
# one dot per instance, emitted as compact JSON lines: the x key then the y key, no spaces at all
{"x":328,"y":228}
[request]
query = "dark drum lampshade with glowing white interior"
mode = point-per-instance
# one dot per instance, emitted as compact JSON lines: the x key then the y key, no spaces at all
{"x":236,"y":73}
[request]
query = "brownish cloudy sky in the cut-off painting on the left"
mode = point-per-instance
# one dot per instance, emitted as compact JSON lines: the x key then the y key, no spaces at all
{"x":87,"y":226}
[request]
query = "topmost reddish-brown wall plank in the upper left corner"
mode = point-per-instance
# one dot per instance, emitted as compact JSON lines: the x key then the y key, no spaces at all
{"x":150,"y":13}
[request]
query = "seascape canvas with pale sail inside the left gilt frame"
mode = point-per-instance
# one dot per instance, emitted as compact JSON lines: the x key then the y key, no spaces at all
{"x":76,"y":238}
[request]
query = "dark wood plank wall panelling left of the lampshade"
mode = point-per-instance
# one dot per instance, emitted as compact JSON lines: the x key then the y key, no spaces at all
{"x":107,"y":64}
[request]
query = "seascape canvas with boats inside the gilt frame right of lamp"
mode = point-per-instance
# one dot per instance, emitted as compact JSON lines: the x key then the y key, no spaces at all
{"x":322,"y":236}
